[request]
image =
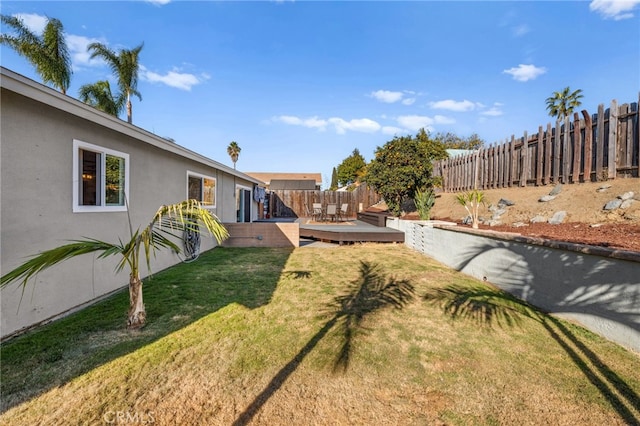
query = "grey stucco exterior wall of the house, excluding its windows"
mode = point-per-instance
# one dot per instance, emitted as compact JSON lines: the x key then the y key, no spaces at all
{"x":36,"y":176}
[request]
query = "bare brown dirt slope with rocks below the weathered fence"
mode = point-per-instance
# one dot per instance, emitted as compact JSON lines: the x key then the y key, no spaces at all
{"x":586,"y":221}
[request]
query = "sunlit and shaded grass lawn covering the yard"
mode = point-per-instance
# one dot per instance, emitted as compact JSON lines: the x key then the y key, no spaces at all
{"x":363,"y":334}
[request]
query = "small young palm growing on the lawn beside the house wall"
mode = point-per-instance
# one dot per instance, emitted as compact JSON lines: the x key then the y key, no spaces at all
{"x":172,"y":222}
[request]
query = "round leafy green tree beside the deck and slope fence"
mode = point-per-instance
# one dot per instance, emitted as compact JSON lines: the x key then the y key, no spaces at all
{"x":404,"y":166}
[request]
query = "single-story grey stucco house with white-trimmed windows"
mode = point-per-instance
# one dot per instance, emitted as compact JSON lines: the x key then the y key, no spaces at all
{"x":70,"y":171}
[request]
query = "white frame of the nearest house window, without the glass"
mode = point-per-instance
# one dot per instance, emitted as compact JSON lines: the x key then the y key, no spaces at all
{"x":77,"y":171}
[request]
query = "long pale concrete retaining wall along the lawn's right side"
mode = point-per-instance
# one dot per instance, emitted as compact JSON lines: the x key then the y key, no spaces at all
{"x":597,"y":287}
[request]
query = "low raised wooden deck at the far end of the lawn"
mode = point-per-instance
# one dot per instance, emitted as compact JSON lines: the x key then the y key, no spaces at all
{"x":353,"y":231}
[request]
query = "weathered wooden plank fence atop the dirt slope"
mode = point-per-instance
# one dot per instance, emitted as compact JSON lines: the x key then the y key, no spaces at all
{"x":589,"y":148}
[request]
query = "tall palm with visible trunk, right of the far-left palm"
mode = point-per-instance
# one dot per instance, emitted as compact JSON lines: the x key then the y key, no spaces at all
{"x":124,"y":66}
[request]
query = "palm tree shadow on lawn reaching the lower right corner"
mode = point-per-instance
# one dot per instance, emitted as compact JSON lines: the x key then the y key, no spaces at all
{"x":488,"y":306}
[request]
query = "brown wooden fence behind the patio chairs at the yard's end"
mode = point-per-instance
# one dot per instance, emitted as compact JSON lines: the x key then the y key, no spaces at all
{"x":297,"y":203}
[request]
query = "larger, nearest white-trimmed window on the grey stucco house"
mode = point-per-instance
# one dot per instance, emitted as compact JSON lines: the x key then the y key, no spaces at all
{"x":100,"y":178}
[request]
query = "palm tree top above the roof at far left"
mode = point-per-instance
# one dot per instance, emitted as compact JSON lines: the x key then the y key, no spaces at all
{"x":48,"y":52}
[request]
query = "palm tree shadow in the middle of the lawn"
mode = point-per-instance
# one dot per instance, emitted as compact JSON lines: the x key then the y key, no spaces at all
{"x":371,"y":292}
